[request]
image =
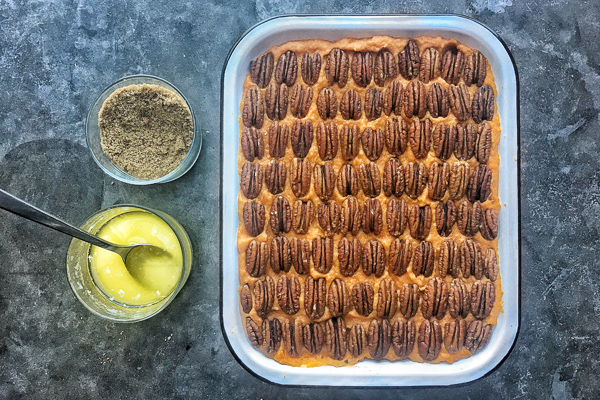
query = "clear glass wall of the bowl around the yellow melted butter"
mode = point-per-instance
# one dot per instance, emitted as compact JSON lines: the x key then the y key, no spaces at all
{"x":86,"y":290}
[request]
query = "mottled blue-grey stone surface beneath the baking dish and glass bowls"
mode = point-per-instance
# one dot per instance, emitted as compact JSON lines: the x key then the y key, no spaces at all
{"x":56,"y":55}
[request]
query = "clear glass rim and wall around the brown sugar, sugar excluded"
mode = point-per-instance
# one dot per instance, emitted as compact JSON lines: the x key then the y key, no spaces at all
{"x":92,"y":131}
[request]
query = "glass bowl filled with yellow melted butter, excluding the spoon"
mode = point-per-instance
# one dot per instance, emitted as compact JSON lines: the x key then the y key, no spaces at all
{"x":147,"y":282}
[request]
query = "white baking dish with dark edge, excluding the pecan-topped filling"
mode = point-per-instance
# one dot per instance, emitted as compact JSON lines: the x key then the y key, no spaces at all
{"x":370,"y":373}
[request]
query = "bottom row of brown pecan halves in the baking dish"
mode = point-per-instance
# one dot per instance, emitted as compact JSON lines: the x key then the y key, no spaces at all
{"x":378,"y":338}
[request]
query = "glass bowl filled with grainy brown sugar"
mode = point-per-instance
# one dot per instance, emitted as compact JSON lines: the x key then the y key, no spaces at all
{"x":142,"y":130}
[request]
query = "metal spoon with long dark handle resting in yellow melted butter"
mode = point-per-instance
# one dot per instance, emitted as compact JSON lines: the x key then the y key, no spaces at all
{"x":17,"y":206}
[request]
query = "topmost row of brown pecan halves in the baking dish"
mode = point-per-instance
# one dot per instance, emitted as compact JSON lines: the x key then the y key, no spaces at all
{"x":366,"y":66}
